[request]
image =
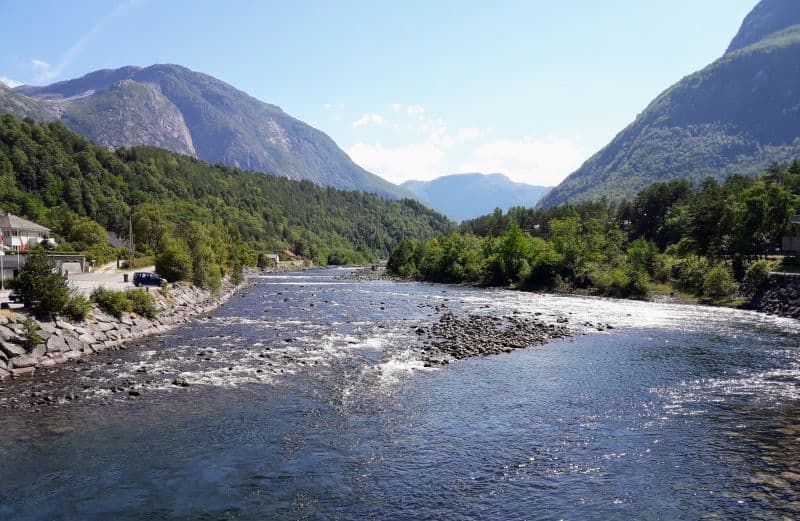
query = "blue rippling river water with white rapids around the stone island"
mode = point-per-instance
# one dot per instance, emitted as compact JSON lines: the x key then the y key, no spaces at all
{"x":308,"y":399}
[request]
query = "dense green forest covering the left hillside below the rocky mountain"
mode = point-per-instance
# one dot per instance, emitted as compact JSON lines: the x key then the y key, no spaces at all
{"x":80,"y":190}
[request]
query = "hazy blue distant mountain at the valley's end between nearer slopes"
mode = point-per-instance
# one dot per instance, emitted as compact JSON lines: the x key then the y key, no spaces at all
{"x":466,"y":196}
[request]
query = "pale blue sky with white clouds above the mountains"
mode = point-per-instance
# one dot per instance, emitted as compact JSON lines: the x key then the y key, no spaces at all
{"x":410,"y":90}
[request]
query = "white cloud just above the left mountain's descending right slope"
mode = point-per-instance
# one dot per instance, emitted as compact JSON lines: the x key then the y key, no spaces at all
{"x":414,"y":161}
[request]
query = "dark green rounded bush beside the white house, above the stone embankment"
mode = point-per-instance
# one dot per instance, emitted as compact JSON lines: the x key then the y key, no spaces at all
{"x":44,"y":292}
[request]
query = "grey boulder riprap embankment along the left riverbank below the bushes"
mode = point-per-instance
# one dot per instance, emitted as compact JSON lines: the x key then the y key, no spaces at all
{"x":63,"y":341}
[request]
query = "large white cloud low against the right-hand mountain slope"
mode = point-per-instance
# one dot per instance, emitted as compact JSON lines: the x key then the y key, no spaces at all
{"x":534,"y":160}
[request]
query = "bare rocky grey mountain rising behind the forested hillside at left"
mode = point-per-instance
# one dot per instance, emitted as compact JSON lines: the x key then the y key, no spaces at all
{"x":195,"y":114}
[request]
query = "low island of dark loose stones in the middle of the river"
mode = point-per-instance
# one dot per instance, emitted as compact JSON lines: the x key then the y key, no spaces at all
{"x":483,"y":335}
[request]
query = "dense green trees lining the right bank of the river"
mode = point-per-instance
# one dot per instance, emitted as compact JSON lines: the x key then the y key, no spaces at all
{"x":710,"y":241}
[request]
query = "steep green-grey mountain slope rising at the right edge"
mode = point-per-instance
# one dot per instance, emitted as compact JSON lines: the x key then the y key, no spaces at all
{"x":737,"y":115}
